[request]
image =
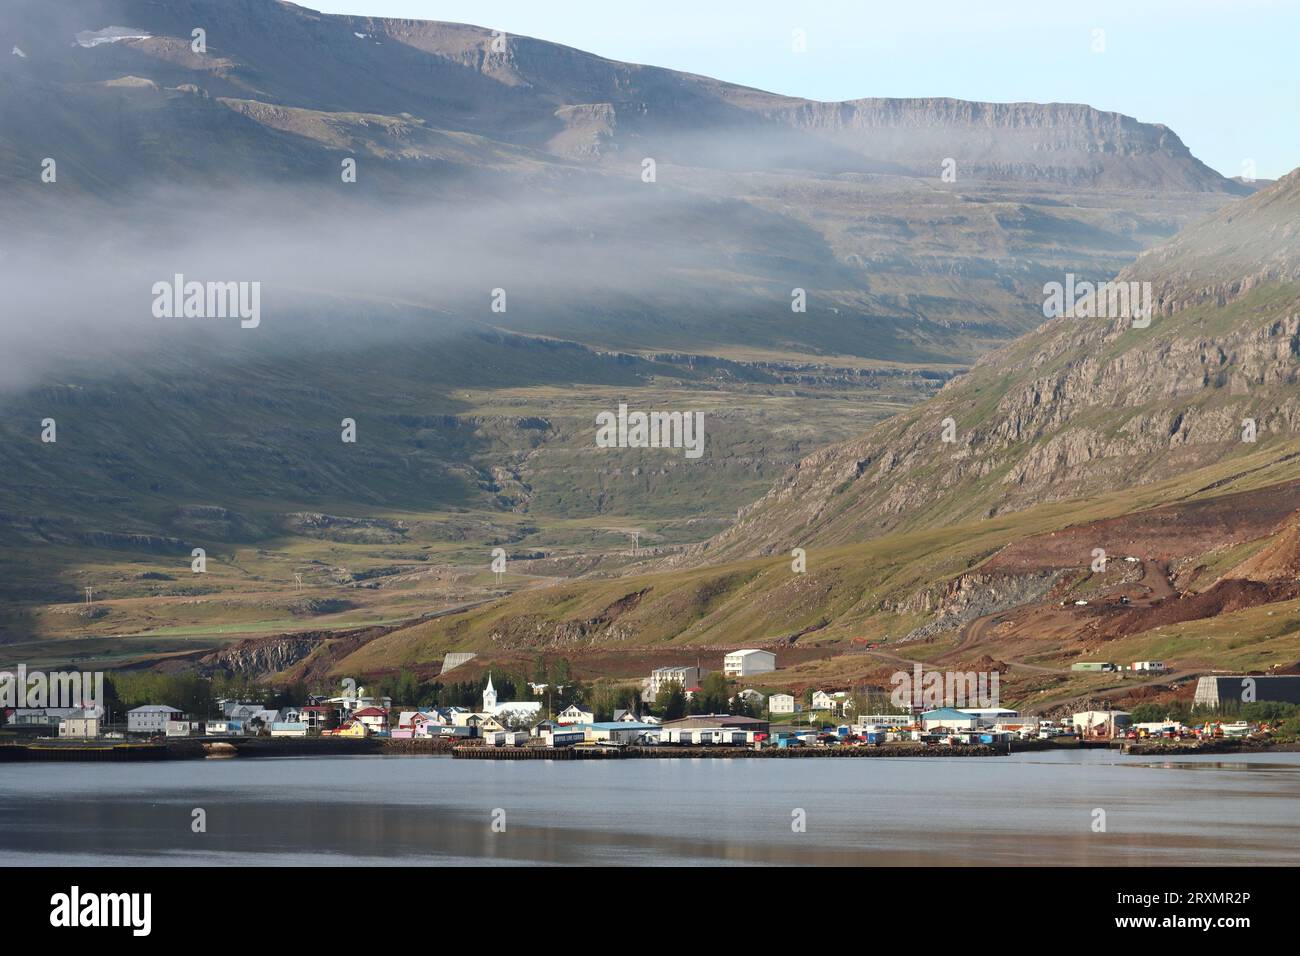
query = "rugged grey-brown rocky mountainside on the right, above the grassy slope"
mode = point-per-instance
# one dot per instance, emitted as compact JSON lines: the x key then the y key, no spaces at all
{"x":1081,"y":406}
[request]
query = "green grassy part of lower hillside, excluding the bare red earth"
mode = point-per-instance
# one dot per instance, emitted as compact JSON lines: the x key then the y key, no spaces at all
{"x":756,"y":602}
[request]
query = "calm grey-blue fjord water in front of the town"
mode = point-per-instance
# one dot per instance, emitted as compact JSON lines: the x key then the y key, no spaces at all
{"x":1034,"y":808}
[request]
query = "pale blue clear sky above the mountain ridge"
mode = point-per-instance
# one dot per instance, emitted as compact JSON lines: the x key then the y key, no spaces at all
{"x":1221,"y":73}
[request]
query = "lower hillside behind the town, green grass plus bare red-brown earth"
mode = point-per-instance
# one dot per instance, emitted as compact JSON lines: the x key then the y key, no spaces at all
{"x":905,"y":589}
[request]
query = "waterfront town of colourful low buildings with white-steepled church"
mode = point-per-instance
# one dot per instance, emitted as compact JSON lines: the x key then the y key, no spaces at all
{"x":665,"y":716}
